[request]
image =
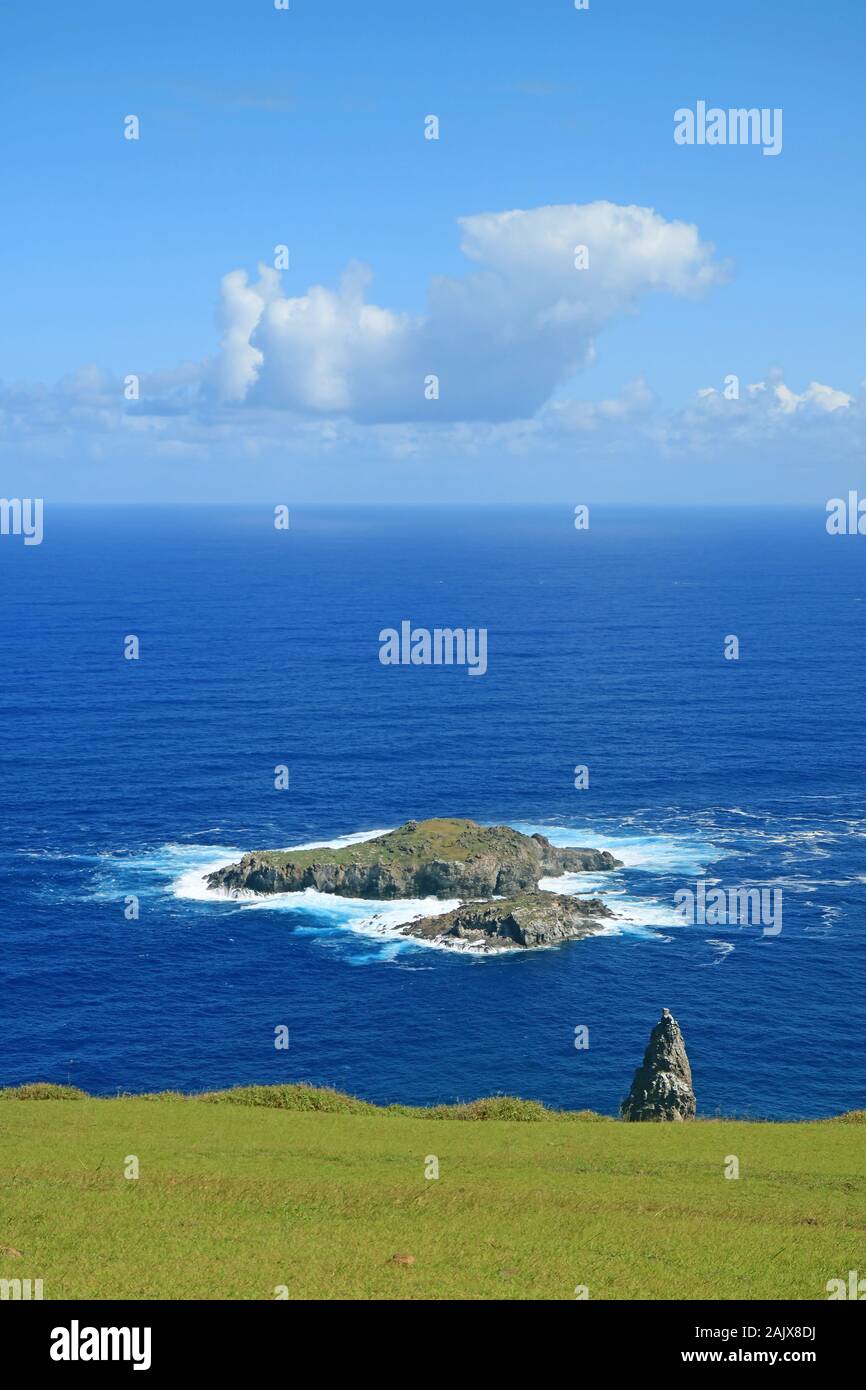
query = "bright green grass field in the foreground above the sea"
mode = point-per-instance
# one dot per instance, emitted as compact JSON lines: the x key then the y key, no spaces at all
{"x":238,"y":1196}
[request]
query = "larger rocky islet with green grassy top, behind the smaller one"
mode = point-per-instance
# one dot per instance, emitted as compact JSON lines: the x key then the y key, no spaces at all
{"x":430,"y":858}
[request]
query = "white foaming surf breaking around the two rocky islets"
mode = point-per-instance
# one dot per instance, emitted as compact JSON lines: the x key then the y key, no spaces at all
{"x":633,"y":915}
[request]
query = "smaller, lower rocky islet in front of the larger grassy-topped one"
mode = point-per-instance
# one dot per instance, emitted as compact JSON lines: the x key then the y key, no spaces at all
{"x":533,"y":919}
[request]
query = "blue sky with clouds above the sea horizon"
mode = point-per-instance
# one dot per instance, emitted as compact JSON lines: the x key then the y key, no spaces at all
{"x":307,"y":129}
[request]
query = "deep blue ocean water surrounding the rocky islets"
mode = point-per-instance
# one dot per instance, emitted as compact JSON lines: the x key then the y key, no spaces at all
{"x":261,"y":647}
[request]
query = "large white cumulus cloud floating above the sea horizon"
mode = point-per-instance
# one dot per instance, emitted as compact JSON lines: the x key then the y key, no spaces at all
{"x":500,"y":340}
